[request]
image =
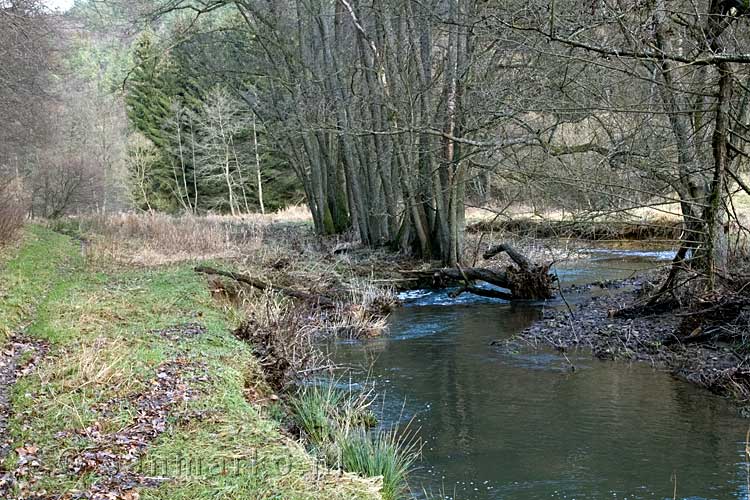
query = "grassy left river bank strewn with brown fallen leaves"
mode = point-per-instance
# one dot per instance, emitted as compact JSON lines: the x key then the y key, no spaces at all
{"x":140,"y":389}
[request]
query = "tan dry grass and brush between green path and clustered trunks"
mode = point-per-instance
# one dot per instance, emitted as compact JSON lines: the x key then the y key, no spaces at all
{"x":274,"y":248}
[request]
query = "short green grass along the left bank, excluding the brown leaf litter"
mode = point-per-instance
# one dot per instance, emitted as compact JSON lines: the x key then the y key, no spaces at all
{"x":103,"y":350}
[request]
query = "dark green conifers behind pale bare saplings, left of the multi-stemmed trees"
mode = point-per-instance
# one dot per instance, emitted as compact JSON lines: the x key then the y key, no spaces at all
{"x":178,"y":105}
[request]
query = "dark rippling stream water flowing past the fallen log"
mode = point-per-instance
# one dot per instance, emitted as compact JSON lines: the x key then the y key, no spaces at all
{"x":523,"y":426}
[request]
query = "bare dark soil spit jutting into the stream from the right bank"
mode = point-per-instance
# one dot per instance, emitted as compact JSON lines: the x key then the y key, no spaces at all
{"x":721,"y":367}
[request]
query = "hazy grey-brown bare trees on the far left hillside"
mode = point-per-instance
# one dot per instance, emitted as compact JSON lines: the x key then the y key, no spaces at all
{"x":63,"y":132}
